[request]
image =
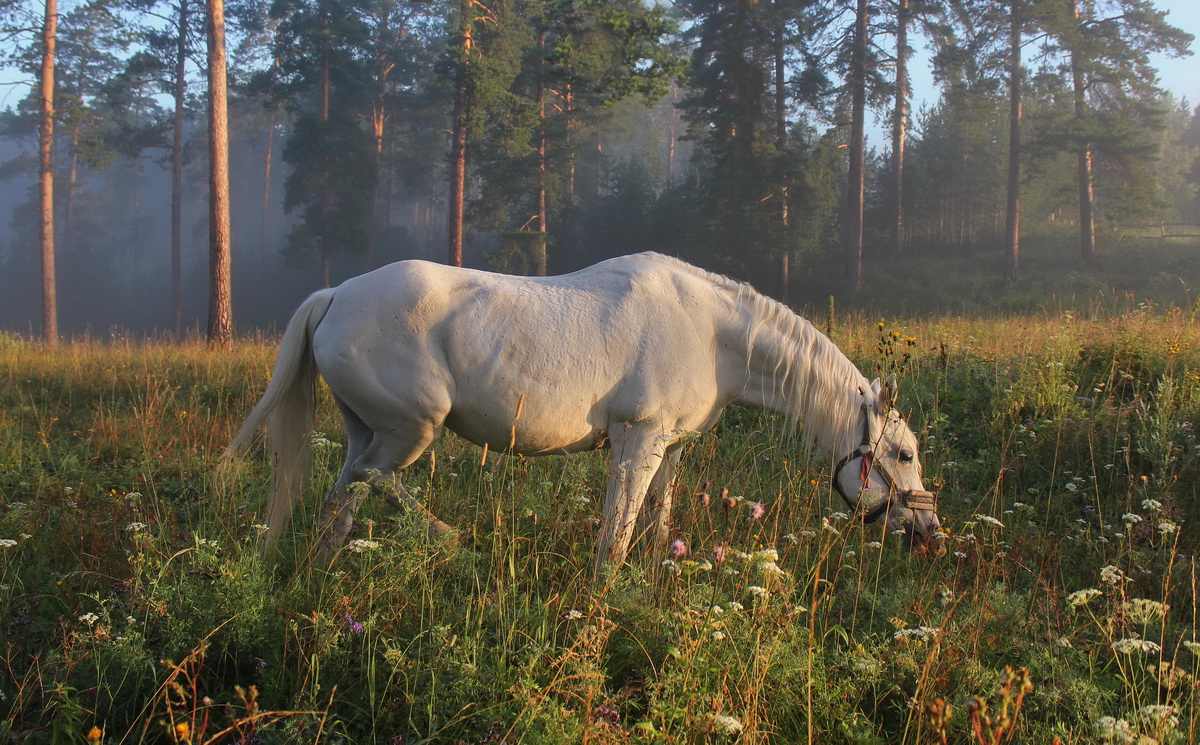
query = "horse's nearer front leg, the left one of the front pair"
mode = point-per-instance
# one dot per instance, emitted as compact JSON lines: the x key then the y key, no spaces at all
{"x":638,"y":455}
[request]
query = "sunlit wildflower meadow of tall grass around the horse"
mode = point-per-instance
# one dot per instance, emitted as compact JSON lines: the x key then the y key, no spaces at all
{"x":136,"y":609}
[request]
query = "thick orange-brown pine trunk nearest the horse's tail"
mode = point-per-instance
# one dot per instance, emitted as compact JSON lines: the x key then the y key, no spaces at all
{"x":220,"y":296}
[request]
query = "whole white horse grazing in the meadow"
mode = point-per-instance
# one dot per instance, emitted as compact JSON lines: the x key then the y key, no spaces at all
{"x":634,"y":355}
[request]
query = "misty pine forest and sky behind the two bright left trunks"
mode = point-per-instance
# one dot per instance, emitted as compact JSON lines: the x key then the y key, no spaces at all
{"x":541,"y":136}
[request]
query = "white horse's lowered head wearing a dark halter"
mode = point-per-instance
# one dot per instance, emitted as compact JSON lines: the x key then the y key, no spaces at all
{"x":881,"y":479}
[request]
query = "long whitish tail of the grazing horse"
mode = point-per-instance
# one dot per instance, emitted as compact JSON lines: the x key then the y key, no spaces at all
{"x":287,"y":407}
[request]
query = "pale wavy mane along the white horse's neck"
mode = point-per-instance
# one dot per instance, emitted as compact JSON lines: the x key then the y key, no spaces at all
{"x":819,"y":384}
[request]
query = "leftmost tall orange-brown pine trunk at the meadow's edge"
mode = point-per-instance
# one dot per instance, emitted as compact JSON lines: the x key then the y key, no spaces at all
{"x":46,"y":175}
